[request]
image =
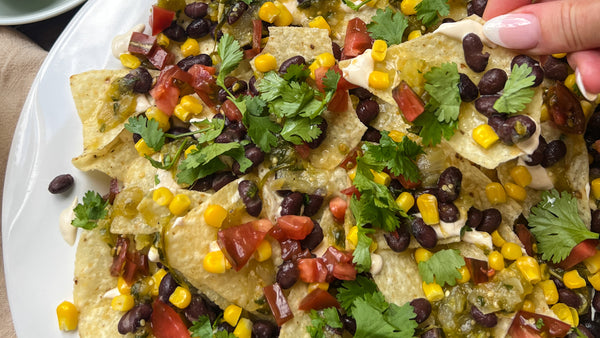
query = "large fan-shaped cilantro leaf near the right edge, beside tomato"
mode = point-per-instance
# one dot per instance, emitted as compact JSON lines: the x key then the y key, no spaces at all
{"x":556,"y":225}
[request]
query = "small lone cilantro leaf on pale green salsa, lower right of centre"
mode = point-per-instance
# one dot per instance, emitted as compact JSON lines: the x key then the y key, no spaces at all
{"x":442,"y":267}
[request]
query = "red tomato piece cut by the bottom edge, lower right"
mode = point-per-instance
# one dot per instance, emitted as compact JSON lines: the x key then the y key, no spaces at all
{"x":526,"y":324}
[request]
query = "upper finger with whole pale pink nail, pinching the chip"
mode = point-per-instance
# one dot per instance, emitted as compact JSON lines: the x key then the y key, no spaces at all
{"x":548,"y":27}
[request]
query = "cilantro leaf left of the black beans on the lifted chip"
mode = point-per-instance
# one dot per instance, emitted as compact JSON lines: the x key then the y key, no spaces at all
{"x":442,"y":86}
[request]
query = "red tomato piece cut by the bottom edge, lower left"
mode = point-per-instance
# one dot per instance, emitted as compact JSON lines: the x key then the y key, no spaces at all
{"x":166,"y":323}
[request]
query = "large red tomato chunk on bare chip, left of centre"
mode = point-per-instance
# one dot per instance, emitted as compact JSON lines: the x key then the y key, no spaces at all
{"x":239,"y":243}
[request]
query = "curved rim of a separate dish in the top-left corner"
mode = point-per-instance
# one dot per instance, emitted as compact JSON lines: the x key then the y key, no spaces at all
{"x":16,"y":12}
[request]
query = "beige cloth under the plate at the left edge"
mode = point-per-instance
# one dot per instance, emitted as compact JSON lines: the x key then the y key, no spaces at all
{"x":20,"y":60}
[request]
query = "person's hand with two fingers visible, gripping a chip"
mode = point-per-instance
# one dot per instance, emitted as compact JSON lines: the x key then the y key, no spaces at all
{"x":551,"y":26}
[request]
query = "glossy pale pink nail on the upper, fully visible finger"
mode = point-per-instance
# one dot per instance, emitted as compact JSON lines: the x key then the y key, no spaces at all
{"x":515,"y":31}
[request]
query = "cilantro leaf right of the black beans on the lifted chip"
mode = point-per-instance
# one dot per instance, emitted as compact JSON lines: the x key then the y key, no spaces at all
{"x":517,"y":91}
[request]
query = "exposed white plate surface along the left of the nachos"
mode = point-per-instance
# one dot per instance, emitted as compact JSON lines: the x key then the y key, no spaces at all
{"x":38,"y":262}
